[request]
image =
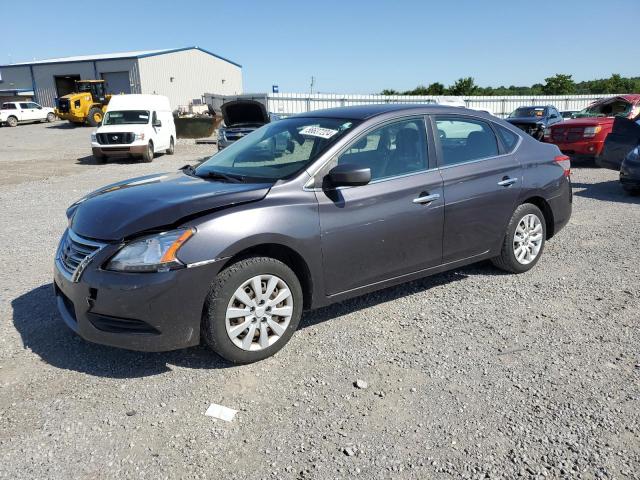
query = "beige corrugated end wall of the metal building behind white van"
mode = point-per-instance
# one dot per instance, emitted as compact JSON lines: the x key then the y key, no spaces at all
{"x":186,"y":75}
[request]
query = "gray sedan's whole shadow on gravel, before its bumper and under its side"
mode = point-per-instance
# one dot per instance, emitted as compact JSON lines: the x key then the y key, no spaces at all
{"x":36,"y":318}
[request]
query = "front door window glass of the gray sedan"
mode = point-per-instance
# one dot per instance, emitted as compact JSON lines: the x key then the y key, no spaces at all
{"x":396,"y":149}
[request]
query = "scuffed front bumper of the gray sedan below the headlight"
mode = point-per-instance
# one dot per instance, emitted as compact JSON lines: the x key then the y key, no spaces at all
{"x":145,"y":312}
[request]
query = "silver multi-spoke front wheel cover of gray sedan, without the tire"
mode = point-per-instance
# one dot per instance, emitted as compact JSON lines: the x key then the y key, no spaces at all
{"x":259,"y":312}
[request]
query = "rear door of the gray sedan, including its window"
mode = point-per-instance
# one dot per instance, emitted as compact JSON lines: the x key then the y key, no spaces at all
{"x":481,"y":183}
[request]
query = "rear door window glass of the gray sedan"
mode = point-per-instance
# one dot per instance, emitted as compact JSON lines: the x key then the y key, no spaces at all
{"x":464,"y":140}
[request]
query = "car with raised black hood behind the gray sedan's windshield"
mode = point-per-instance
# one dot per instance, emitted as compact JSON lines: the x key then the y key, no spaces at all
{"x":241,"y":117}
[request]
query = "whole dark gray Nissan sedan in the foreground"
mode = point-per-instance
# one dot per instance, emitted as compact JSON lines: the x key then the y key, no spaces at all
{"x":301,"y":213}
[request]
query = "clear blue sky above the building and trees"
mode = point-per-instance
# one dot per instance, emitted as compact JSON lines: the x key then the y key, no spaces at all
{"x":349,"y":46}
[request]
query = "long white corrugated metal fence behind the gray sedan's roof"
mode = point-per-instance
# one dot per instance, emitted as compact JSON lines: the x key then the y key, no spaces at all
{"x":292,"y":103}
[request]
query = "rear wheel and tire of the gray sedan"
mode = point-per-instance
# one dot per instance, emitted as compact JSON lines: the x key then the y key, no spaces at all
{"x":523,"y":241}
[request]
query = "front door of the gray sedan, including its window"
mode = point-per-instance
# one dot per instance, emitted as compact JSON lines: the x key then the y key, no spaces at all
{"x":391,"y":226}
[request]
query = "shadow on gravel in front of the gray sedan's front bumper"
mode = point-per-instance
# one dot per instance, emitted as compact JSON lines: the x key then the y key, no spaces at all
{"x":36,"y":318}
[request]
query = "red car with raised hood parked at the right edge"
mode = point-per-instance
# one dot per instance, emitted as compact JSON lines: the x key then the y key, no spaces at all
{"x":584,"y":135}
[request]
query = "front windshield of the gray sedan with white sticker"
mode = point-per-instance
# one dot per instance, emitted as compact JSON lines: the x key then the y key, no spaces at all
{"x":277,"y":150}
